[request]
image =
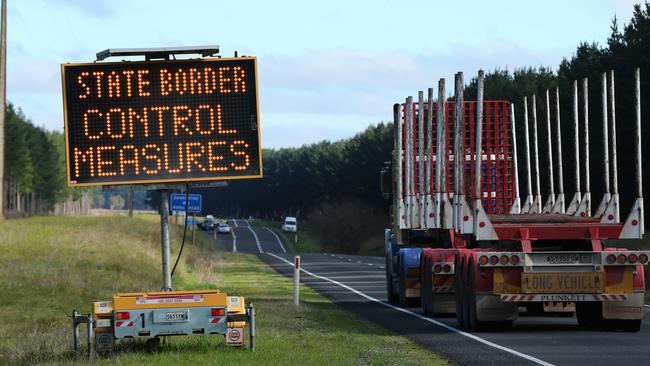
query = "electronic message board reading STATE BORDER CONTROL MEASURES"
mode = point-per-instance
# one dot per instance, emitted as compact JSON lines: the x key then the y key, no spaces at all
{"x":161,"y":121}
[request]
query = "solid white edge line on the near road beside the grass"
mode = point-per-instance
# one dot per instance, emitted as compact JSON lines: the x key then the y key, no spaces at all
{"x":432,"y":321}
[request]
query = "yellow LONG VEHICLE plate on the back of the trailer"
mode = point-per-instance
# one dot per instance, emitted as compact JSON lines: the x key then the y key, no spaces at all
{"x":571,"y":282}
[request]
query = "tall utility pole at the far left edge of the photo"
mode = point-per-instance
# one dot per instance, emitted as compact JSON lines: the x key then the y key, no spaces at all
{"x":3,"y":103}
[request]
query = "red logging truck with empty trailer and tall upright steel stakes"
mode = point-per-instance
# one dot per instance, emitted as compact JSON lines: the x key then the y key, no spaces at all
{"x":462,"y":242}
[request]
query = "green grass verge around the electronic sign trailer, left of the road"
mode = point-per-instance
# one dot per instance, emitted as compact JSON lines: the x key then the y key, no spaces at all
{"x":51,"y":265}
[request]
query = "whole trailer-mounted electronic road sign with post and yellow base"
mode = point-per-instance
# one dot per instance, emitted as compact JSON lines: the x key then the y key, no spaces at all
{"x":162,"y":123}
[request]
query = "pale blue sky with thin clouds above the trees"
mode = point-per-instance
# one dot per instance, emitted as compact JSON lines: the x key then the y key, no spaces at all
{"x":327,"y":70}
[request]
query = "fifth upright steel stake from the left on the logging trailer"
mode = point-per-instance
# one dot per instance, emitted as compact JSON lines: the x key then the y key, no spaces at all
{"x":441,"y":160}
